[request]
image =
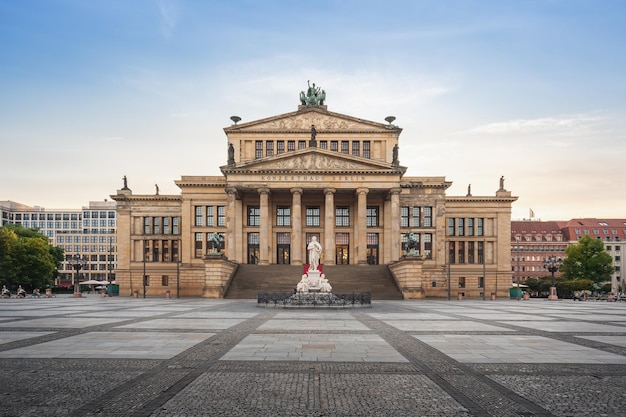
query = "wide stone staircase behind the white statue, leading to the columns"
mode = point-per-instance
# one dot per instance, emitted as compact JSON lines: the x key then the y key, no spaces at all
{"x":252,"y":279}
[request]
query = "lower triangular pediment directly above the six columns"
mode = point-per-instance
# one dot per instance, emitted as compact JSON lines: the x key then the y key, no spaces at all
{"x":312,"y":160}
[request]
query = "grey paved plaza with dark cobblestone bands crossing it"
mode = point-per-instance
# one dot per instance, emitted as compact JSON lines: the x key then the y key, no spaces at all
{"x":119,"y":356}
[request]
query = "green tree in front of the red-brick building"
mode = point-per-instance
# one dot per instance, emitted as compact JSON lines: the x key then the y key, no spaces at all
{"x":587,"y":259}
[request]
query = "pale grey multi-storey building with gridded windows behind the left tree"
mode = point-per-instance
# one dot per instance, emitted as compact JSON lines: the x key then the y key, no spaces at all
{"x":90,"y":231}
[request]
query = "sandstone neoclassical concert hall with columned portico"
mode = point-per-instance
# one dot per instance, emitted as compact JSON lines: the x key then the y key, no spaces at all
{"x":314,"y":173}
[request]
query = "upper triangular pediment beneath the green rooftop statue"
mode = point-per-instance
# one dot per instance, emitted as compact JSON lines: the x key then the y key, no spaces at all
{"x":301,"y":120}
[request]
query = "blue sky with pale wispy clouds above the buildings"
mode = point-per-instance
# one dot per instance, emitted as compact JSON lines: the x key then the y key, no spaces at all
{"x":533,"y":90}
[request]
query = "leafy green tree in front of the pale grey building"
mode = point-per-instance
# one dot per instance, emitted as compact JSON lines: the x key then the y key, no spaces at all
{"x":27,"y":258}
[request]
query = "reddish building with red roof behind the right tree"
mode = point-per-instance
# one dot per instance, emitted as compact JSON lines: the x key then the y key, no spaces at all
{"x":533,"y":240}
